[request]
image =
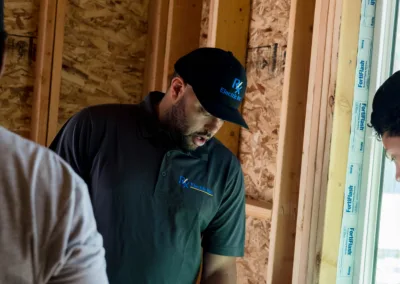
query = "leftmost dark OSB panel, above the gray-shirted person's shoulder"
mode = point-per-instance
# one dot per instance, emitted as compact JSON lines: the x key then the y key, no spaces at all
{"x":16,"y":85}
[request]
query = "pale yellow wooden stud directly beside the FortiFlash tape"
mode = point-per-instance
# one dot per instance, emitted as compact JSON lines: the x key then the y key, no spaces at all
{"x":347,"y":61}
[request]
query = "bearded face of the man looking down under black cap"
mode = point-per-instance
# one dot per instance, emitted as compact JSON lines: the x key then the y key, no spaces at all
{"x":190,"y":122}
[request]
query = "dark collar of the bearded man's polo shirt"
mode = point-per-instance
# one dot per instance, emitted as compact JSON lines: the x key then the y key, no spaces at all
{"x":151,"y":127}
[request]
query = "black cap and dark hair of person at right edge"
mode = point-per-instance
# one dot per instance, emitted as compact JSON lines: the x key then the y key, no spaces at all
{"x":385,"y":117}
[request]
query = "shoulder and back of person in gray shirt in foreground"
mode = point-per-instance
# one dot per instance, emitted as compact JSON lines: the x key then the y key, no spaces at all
{"x":48,"y":232}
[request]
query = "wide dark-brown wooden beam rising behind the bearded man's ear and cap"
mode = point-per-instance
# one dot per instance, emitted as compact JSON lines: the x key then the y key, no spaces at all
{"x":183,"y":32}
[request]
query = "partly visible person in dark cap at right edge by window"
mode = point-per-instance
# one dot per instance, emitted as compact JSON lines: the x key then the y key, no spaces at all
{"x":385,"y":118}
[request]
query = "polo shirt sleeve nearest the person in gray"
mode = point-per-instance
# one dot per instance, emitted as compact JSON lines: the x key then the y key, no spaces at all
{"x":72,"y":143}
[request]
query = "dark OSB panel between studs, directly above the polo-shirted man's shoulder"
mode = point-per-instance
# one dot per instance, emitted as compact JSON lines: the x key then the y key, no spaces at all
{"x":104,"y":53}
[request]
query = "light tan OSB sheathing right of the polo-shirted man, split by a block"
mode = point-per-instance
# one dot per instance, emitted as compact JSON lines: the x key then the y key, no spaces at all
{"x":258,"y":147}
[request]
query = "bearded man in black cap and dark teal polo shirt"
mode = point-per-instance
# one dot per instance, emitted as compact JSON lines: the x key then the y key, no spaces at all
{"x":162,"y":187}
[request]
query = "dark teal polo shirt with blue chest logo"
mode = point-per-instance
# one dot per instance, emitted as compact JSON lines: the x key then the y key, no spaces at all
{"x":155,"y":205}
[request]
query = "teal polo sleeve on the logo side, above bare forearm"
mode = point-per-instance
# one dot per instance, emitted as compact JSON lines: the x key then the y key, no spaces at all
{"x":226,"y":233}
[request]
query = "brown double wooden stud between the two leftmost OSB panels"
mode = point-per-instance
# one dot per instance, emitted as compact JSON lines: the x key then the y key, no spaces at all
{"x":48,"y":70}
